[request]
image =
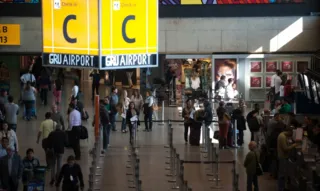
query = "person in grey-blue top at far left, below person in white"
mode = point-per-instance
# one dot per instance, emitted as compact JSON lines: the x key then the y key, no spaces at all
{"x":29,"y":99}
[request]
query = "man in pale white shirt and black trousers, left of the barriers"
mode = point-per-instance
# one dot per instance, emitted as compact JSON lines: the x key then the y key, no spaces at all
{"x":73,"y":130}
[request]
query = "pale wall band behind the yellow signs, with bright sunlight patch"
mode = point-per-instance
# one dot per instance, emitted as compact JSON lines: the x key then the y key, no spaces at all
{"x":206,"y":35}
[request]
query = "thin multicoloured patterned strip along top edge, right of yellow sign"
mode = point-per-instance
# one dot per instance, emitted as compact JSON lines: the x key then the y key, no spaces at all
{"x":223,"y":2}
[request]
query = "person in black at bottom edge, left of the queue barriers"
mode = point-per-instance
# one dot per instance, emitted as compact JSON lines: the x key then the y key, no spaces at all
{"x":72,"y":176}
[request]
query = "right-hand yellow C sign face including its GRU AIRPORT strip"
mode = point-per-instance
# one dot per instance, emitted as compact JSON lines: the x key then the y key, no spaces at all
{"x":129,"y":33}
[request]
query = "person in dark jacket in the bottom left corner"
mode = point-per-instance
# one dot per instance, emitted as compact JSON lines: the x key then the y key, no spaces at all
{"x":11,"y":171}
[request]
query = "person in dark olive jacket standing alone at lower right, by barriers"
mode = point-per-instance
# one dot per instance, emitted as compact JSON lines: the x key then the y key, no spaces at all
{"x":250,"y":163}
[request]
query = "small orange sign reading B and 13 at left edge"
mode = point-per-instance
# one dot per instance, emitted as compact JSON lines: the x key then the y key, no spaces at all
{"x":9,"y":34}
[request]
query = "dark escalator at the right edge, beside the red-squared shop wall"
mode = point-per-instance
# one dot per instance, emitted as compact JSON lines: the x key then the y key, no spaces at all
{"x":308,"y":98}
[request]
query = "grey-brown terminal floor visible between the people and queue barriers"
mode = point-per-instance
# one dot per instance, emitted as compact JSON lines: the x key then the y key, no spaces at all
{"x":151,"y":151}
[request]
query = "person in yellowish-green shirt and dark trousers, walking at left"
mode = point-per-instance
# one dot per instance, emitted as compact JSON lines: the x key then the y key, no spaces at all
{"x":46,"y":127}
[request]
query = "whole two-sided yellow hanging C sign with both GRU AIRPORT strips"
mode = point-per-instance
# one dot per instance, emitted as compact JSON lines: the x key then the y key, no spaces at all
{"x":126,"y":29}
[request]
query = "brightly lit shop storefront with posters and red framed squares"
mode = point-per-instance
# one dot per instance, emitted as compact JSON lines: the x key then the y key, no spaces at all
{"x":251,"y":72}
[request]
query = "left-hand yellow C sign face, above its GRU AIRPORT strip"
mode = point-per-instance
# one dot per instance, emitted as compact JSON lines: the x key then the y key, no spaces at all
{"x":70,"y":27}
